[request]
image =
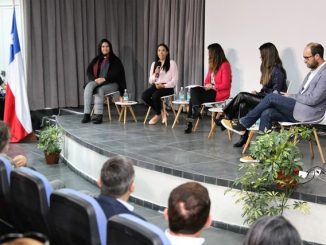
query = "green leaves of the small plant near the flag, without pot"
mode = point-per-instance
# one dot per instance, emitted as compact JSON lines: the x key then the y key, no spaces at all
{"x":50,"y":140}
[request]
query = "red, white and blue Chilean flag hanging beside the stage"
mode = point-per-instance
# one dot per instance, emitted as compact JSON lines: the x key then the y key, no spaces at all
{"x":16,"y":113}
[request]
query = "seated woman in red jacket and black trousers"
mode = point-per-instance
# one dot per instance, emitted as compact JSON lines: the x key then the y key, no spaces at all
{"x":217,"y":84}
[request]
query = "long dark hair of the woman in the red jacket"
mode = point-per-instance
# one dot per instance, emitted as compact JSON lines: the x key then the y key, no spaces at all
{"x":216,"y":57}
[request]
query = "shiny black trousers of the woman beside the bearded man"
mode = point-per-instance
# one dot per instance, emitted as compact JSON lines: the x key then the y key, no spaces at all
{"x":240,"y":105}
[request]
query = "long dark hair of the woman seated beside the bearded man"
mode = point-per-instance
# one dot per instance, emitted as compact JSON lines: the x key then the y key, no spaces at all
{"x":269,"y":59}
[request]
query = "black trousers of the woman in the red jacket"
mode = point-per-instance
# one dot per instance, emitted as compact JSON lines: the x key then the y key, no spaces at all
{"x":199,"y":96}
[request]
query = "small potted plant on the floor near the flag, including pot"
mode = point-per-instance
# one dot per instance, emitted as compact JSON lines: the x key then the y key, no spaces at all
{"x":50,"y":141}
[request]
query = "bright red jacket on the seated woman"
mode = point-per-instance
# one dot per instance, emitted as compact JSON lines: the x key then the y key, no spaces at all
{"x":223,"y":80}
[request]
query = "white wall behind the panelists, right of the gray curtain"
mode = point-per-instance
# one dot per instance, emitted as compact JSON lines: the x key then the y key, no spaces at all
{"x":242,"y":26}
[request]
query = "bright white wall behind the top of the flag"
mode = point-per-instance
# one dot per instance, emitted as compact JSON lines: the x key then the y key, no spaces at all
{"x":6,"y":11}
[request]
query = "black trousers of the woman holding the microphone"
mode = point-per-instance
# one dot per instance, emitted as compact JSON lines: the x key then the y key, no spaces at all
{"x":152,"y":97}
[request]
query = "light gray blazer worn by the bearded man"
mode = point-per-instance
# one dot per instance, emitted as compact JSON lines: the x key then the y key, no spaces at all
{"x":311,"y":104}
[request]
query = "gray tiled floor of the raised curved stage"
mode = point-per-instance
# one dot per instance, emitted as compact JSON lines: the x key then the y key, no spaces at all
{"x":171,"y":151}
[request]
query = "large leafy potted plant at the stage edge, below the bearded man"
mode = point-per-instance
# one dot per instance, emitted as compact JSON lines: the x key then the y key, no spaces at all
{"x":266,"y":186}
